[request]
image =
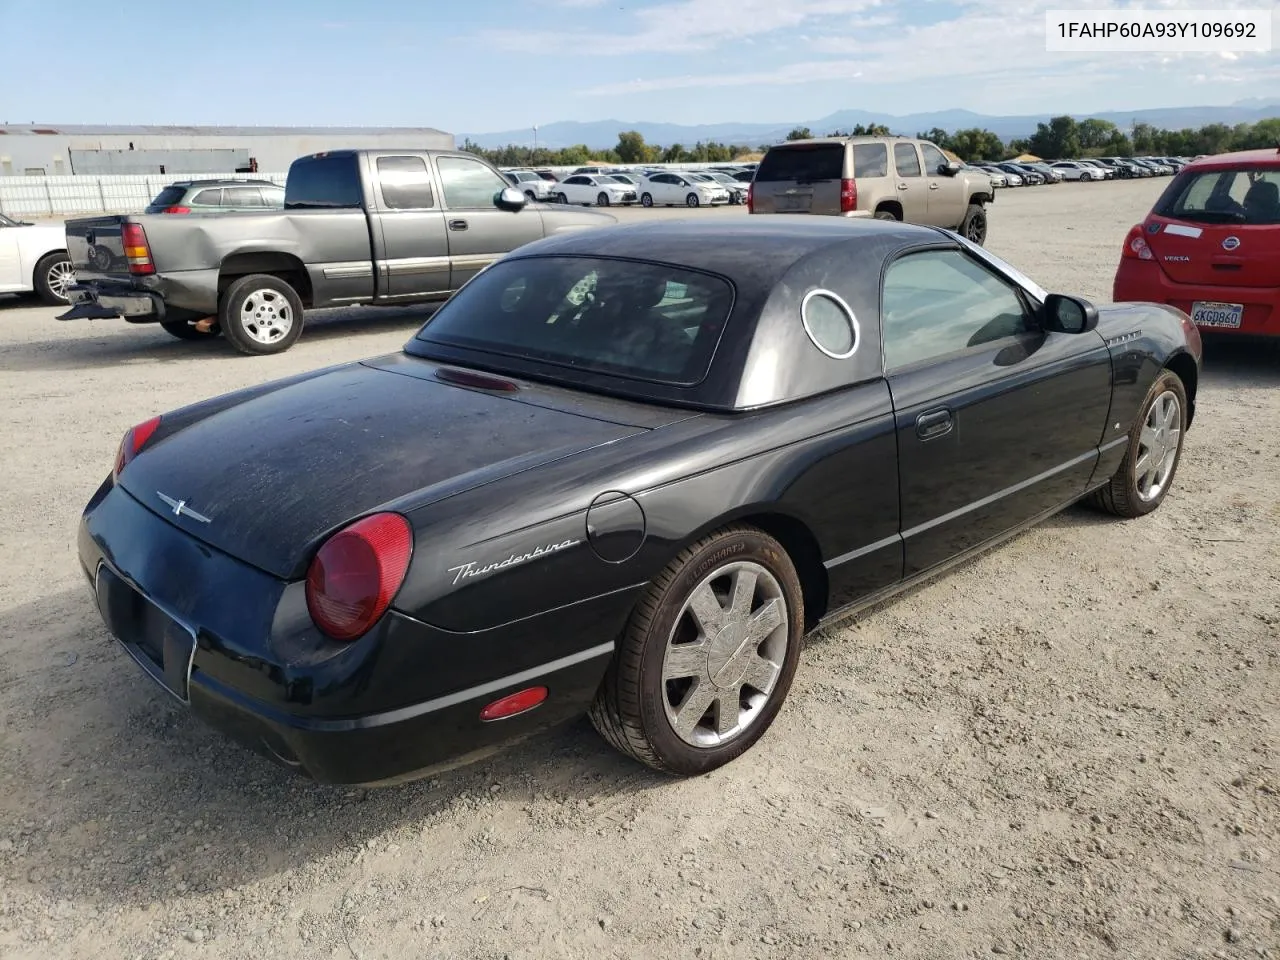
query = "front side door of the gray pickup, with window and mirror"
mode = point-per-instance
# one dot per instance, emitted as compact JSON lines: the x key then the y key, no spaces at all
{"x":478,"y":231}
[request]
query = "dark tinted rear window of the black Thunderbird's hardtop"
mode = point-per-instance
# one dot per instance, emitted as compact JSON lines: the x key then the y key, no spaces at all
{"x":647,"y":322}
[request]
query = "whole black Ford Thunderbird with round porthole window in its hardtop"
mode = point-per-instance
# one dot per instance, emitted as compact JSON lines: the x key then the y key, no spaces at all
{"x":620,"y":473}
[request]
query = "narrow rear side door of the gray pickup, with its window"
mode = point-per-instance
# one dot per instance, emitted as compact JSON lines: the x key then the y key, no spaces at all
{"x":415,"y":253}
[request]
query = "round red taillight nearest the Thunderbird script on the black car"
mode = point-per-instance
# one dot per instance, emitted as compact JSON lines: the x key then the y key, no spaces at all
{"x":356,"y":574}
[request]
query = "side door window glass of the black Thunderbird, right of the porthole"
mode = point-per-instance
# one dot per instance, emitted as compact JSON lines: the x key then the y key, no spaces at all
{"x":939,"y":303}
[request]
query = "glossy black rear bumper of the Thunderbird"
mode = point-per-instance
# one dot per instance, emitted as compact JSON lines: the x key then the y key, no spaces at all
{"x":400,"y":703}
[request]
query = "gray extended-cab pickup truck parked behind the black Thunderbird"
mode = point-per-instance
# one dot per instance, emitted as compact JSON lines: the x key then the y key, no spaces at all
{"x":359,"y":227}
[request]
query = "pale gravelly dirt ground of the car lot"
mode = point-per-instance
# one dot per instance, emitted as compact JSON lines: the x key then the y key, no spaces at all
{"x":1064,"y":749}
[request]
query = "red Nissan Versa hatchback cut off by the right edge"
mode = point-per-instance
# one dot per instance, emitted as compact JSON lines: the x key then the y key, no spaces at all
{"x":1212,"y":245}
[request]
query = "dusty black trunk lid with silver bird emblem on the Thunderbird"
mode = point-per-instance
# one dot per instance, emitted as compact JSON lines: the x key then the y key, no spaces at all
{"x":273,"y":476}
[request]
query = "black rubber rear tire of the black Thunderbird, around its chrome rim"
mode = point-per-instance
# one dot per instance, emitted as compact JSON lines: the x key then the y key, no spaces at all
{"x":630,"y":708}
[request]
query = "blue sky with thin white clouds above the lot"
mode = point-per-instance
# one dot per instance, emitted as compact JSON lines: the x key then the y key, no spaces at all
{"x":481,"y":66}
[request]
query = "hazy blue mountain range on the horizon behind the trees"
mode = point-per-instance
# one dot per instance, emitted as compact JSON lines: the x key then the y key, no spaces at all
{"x":602,"y":135}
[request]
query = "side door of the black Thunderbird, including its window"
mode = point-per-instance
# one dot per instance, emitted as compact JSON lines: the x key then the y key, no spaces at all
{"x":999,"y":422}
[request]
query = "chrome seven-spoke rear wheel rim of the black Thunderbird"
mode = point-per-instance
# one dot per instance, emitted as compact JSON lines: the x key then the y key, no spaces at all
{"x":725,"y":655}
